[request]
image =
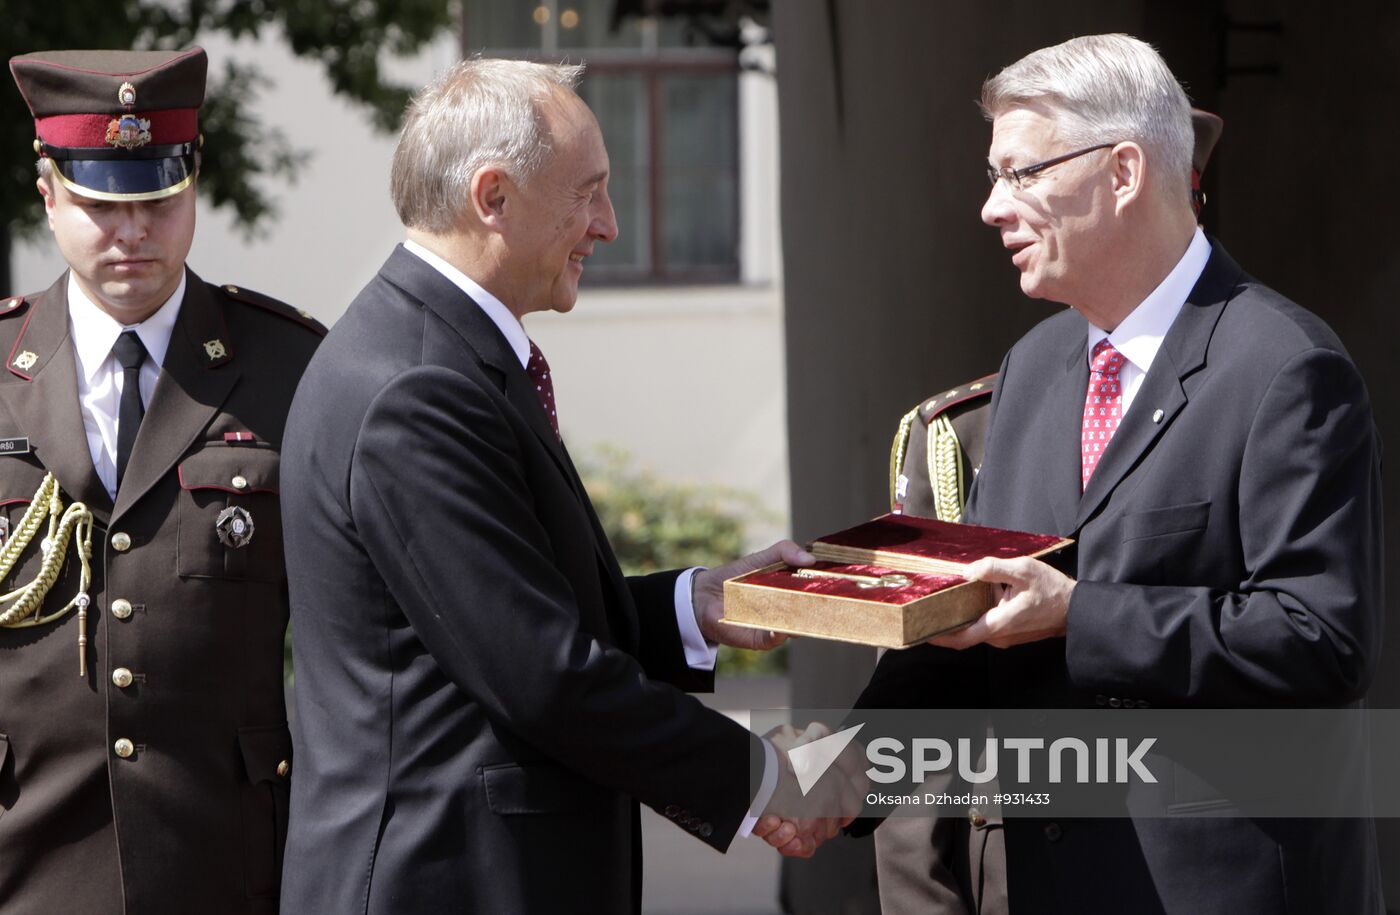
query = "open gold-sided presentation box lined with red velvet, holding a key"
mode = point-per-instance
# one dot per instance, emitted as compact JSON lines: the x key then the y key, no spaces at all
{"x":891,"y":583}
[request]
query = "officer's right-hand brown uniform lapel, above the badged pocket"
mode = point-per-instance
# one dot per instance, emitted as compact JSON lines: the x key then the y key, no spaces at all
{"x":195,"y":381}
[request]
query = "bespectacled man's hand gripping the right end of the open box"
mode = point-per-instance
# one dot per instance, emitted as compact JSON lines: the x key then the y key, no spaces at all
{"x":1034,"y":607}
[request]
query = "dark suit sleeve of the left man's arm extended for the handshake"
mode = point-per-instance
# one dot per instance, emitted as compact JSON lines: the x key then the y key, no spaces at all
{"x":447,"y":517}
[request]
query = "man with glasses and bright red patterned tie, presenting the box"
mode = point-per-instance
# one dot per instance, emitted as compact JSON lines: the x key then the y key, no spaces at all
{"x":1210,"y":446}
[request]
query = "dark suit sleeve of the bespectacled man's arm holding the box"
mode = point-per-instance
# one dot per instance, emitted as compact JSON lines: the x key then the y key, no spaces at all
{"x":1304,"y":625}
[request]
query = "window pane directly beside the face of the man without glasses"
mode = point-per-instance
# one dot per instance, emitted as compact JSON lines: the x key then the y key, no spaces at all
{"x":619,"y":101}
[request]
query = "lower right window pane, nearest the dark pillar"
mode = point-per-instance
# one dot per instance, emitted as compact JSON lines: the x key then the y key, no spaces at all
{"x":701,"y":152}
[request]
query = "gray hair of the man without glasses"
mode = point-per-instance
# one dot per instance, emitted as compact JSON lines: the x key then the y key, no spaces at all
{"x":481,"y":113}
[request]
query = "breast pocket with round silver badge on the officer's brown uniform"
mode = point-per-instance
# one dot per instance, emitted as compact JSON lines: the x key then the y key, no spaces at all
{"x":230,"y":518}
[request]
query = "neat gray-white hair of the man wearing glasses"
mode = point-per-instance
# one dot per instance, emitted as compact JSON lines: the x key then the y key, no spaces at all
{"x":1105,"y":89}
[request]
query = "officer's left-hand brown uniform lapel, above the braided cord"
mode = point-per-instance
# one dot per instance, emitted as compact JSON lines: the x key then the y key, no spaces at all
{"x":45,"y":406}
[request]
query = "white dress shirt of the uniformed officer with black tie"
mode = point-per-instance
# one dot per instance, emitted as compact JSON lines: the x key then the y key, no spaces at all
{"x":100,"y":374}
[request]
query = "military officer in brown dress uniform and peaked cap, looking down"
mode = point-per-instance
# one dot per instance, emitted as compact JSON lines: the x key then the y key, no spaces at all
{"x":145,"y":758}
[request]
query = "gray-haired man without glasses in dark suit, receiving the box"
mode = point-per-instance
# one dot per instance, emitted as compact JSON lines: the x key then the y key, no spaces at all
{"x":482,"y":697}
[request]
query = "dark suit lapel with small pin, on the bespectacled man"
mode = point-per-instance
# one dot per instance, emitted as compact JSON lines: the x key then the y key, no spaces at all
{"x":1163,"y":394}
